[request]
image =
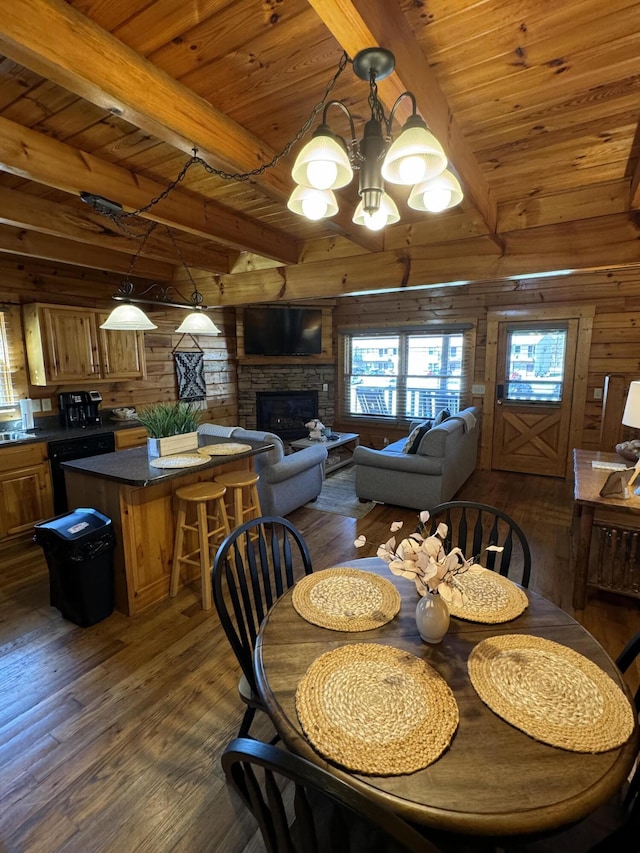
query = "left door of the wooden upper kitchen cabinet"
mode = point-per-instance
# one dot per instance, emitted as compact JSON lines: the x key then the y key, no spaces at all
{"x":71,"y":344}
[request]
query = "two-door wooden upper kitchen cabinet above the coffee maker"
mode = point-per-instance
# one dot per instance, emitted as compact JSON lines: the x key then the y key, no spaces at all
{"x":66,"y":344}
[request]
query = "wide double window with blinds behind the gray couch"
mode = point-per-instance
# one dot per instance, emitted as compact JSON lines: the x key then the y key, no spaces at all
{"x":405,"y":375}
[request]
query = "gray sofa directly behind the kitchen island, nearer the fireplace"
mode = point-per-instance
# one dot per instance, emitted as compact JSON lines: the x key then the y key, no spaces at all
{"x":286,"y":482}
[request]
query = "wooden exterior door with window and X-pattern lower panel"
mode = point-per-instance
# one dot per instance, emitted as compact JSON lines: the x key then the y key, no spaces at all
{"x":534,"y":387}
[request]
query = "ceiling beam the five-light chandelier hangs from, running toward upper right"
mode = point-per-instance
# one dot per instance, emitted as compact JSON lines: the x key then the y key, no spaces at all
{"x":358,"y":24}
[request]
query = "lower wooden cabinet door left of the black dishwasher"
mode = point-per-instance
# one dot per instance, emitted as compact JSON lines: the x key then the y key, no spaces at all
{"x":25,"y":497}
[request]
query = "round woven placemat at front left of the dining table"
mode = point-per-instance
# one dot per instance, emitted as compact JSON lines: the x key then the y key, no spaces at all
{"x":376,"y":709}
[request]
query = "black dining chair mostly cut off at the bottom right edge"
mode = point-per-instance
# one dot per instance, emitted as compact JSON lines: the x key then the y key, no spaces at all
{"x":615,"y":826}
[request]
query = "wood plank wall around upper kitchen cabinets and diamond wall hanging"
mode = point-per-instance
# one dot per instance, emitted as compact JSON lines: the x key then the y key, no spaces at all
{"x":42,"y":282}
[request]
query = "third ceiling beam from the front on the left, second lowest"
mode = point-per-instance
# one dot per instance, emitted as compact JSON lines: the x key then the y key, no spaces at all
{"x":33,"y":213}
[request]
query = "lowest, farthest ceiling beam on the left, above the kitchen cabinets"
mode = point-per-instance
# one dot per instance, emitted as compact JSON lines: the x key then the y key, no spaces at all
{"x":31,"y":244}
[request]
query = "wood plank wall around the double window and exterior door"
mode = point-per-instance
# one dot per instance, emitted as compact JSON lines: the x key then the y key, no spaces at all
{"x":615,"y":346}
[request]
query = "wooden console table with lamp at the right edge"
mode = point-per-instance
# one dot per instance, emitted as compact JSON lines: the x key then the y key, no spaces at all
{"x":617,"y":512}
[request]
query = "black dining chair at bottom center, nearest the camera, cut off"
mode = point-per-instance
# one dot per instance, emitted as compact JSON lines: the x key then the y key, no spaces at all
{"x":321,"y":812}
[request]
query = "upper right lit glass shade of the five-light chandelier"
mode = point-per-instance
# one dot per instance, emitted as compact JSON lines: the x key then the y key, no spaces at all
{"x":415,"y":156}
